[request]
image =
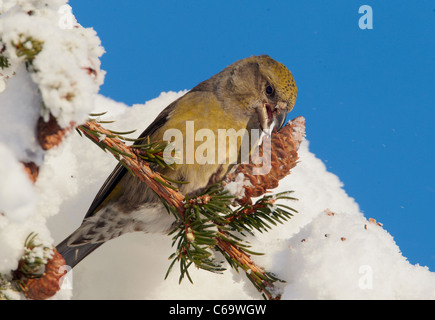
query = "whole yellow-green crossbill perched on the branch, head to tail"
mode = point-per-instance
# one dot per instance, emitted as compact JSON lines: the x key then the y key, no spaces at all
{"x":250,"y":94}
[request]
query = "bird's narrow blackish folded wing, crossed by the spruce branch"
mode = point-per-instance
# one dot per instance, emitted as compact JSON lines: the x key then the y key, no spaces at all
{"x":119,"y":171}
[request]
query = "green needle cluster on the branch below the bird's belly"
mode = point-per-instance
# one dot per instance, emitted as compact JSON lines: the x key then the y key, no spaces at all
{"x":212,"y":217}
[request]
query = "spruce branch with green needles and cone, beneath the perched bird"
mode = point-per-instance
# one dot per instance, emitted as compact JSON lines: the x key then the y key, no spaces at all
{"x":208,"y":223}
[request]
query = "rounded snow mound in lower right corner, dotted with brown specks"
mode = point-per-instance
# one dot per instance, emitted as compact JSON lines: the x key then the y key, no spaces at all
{"x":343,"y":256}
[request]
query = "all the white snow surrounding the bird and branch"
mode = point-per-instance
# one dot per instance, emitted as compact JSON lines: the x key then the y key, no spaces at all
{"x":328,"y":250}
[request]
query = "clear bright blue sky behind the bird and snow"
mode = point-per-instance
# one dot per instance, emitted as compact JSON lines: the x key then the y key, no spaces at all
{"x":368,"y":95}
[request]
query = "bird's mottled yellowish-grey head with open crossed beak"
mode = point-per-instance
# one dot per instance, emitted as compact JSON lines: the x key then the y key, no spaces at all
{"x":258,"y":88}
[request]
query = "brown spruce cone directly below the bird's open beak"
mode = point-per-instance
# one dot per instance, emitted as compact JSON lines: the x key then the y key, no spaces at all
{"x":284,"y":157}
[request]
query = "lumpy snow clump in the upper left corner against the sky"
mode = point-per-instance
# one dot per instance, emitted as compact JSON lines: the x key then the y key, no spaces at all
{"x":63,"y":80}
